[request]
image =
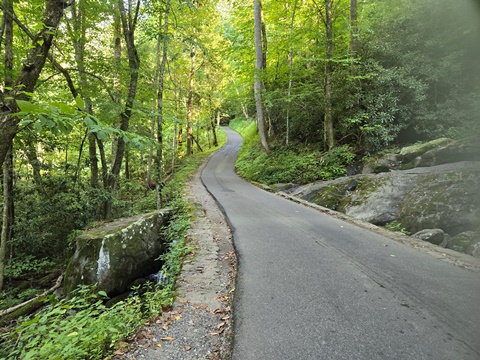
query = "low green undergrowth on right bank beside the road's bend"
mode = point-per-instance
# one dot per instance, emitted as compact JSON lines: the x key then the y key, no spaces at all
{"x":293,"y":164}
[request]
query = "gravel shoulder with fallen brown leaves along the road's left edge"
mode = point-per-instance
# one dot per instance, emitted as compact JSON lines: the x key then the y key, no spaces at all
{"x":199,"y":326}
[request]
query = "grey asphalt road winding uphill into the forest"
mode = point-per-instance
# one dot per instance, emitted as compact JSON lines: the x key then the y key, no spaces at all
{"x":310,"y":286}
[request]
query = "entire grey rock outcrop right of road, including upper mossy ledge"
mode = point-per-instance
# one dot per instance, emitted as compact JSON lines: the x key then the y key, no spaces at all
{"x":430,"y":190}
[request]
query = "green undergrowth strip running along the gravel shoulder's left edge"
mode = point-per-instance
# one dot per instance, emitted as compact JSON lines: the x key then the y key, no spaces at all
{"x":83,"y":327}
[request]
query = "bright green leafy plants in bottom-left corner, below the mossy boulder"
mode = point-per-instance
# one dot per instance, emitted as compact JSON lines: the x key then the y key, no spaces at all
{"x":78,"y":328}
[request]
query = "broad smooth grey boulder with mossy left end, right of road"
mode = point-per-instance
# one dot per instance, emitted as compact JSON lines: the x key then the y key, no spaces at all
{"x":442,"y":197}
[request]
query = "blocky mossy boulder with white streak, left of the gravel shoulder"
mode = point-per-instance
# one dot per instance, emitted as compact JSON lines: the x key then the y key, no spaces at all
{"x":117,"y":253}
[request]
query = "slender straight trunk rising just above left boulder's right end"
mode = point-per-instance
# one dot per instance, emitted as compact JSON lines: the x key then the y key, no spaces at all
{"x":160,"y":86}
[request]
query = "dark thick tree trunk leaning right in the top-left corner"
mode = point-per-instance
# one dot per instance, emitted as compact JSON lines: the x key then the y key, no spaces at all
{"x":29,"y":73}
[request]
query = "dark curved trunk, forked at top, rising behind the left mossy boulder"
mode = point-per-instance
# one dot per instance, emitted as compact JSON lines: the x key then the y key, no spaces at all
{"x":129,"y":22}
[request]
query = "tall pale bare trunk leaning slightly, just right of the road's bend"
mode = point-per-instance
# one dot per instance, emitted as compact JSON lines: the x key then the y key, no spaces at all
{"x":257,"y":7}
